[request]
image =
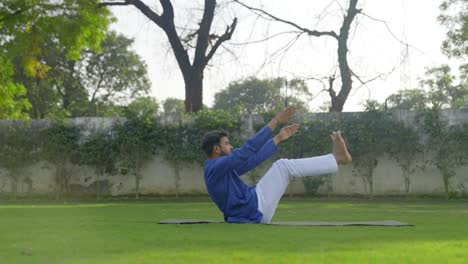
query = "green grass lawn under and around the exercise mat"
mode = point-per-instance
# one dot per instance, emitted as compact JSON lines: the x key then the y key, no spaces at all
{"x":128,"y":232}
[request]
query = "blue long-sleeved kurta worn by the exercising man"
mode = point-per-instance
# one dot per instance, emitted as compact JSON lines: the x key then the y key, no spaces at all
{"x":234,"y":198}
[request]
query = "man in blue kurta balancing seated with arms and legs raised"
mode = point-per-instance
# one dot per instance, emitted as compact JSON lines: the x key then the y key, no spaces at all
{"x":254,"y":204}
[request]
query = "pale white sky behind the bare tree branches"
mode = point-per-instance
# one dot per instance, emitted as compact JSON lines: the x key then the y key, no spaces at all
{"x":377,"y":50}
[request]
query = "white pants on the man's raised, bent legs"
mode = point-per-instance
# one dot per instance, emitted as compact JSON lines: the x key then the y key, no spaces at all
{"x":272,"y":186}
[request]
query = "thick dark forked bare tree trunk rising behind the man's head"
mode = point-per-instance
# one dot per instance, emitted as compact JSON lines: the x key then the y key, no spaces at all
{"x":182,"y":47}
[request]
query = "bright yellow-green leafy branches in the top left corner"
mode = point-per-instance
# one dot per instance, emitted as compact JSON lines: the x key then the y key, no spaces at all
{"x":24,"y":25}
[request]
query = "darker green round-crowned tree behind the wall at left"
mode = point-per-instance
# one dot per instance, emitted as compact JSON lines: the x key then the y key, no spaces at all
{"x":89,"y":85}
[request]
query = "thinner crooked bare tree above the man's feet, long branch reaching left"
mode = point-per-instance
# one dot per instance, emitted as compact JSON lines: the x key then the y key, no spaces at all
{"x":346,"y":74}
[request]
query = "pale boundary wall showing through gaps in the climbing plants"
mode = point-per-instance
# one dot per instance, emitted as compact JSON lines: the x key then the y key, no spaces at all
{"x":159,"y":177}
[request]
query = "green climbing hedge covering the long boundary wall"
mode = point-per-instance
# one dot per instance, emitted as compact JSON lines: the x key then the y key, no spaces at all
{"x":127,"y":145}
